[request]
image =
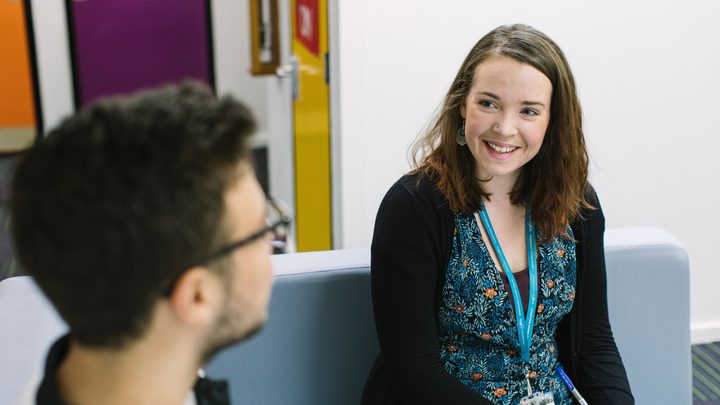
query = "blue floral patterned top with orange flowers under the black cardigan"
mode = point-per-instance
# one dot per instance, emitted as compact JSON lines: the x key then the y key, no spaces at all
{"x":478,"y":333}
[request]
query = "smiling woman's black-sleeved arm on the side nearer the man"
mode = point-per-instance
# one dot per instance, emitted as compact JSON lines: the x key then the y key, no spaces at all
{"x":407,"y":252}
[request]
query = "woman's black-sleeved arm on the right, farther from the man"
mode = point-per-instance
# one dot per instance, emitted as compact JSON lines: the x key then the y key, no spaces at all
{"x":601,"y":376}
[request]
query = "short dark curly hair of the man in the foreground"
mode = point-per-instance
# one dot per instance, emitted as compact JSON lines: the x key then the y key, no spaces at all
{"x":123,"y":196}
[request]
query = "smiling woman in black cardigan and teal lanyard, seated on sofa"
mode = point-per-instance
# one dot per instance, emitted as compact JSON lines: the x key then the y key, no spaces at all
{"x":488,"y":270}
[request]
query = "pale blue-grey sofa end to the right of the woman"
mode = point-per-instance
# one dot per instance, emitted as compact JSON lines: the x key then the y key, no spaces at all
{"x":649,"y":303}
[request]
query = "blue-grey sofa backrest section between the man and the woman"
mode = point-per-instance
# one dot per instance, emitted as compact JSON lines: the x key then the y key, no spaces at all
{"x":319,"y":342}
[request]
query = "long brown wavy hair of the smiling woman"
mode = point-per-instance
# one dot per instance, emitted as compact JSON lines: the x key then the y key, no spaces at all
{"x":553,"y":182}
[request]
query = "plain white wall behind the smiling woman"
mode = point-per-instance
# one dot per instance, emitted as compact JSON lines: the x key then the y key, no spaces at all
{"x":647,"y":77}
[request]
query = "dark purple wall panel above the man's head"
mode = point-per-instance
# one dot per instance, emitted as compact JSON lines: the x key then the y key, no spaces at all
{"x":123,"y":45}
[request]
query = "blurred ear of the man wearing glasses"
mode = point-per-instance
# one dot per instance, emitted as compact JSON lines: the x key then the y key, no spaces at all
{"x":197,"y":296}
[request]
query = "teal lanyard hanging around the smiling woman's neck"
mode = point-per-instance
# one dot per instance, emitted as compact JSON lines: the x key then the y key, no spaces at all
{"x":525,"y":323}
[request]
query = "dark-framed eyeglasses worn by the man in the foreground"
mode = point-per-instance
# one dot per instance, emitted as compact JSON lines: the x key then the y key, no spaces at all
{"x":278,"y":220}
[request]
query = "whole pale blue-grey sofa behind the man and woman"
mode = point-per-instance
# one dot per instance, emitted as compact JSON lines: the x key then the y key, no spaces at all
{"x":319,"y":343}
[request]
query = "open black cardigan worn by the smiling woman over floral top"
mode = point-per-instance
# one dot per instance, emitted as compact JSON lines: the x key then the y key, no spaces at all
{"x":411,"y":246}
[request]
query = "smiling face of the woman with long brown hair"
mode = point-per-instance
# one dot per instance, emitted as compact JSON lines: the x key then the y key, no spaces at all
{"x":506,"y":113}
